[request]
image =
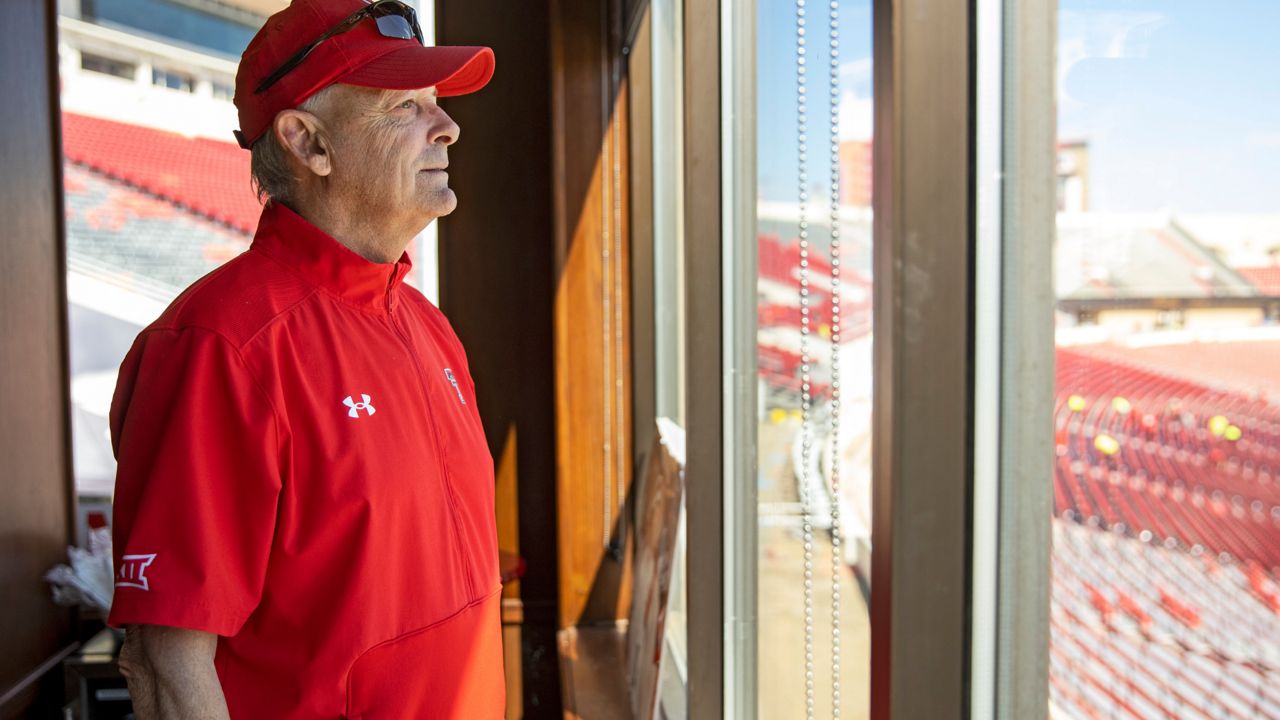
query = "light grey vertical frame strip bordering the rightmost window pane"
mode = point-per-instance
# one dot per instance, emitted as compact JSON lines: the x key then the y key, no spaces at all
{"x":1028,"y":200}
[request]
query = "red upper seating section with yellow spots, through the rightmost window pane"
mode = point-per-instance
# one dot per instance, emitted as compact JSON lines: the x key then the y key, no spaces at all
{"x":1140,"y":452}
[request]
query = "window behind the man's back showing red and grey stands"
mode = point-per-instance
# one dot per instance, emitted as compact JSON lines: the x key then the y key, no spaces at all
{"x":156,"y":197}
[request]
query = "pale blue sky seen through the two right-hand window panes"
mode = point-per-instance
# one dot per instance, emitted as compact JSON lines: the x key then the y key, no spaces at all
{"x":1178,"y":99}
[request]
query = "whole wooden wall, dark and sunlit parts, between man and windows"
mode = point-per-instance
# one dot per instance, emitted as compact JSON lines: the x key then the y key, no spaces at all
{"x":536,"y":277}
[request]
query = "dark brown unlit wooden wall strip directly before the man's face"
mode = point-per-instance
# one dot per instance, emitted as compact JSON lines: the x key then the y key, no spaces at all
{"x":497,"y":286}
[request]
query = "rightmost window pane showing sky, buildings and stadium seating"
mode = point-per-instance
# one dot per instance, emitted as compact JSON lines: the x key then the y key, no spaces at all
{"x":1167,"y":482}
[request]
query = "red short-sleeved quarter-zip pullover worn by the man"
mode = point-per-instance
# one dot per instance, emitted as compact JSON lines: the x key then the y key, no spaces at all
{"x":303,"y":472}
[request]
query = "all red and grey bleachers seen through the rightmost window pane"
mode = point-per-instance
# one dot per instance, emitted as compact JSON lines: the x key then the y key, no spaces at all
{"x":1167,"y":546}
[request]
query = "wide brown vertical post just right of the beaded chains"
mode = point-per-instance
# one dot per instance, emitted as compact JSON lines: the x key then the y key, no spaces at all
{"x":924,"y":361}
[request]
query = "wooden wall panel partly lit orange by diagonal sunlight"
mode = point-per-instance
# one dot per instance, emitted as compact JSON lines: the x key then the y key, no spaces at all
{"x":592,"y":308}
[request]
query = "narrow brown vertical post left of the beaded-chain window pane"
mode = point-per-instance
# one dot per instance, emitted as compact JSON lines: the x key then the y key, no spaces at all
{"x":705,"y":480}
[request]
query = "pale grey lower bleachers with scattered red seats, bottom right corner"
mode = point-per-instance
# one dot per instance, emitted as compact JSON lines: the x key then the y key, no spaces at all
{"x":1144,"y":631}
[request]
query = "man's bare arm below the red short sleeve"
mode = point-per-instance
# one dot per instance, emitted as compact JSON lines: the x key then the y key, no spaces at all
{"x":171,"y":675}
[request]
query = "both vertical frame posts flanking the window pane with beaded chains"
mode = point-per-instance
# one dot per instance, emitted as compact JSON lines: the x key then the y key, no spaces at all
{"x":940,"y":468}
